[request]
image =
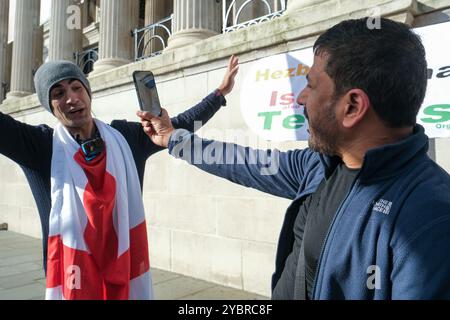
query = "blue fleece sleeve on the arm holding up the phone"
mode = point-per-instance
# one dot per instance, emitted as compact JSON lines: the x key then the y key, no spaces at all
{"x":270,"y":171}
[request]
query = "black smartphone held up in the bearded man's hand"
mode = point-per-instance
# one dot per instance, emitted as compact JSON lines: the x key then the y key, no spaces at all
{"x":144,"y":81}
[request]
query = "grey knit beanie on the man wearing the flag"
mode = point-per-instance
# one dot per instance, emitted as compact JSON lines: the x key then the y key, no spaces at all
{"x":50,"y":73}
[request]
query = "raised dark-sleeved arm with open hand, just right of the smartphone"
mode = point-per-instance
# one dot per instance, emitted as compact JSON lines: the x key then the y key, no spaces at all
{"x":206,"y":109}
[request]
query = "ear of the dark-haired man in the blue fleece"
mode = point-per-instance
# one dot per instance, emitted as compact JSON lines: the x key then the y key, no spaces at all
{"x":357,"y":106}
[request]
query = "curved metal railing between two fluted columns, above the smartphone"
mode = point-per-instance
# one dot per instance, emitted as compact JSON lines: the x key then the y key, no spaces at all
{"x":152,"y":39}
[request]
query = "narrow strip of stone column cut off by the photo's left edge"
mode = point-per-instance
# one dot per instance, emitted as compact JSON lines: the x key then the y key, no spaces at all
{"x":4,"y":18}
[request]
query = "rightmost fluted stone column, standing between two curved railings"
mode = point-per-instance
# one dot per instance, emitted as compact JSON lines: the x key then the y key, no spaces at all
{"x":194,"y":20}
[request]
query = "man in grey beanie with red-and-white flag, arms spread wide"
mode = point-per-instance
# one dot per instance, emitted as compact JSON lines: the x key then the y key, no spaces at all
{"x":87,"y":178}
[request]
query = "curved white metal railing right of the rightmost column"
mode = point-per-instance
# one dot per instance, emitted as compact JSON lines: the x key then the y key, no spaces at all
{"x":231,"y":13}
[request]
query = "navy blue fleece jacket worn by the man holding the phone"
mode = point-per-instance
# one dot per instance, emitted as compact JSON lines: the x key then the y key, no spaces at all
{"x":390,"y":238}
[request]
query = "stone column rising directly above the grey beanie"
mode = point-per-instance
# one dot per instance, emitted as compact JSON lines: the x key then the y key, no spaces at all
{"x":65,"y":30}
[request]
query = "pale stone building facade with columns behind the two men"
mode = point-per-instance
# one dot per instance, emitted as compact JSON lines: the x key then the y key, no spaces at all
{"x":198,"y":225}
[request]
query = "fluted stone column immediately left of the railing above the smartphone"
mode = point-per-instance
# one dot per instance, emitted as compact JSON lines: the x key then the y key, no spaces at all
{"x":116,"y":45}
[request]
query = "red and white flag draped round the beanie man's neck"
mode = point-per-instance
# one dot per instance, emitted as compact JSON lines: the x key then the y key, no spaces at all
{"x":97,"y":245}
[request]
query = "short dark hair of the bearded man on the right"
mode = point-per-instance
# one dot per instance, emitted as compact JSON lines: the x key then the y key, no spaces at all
{"x":387,"y":63}
